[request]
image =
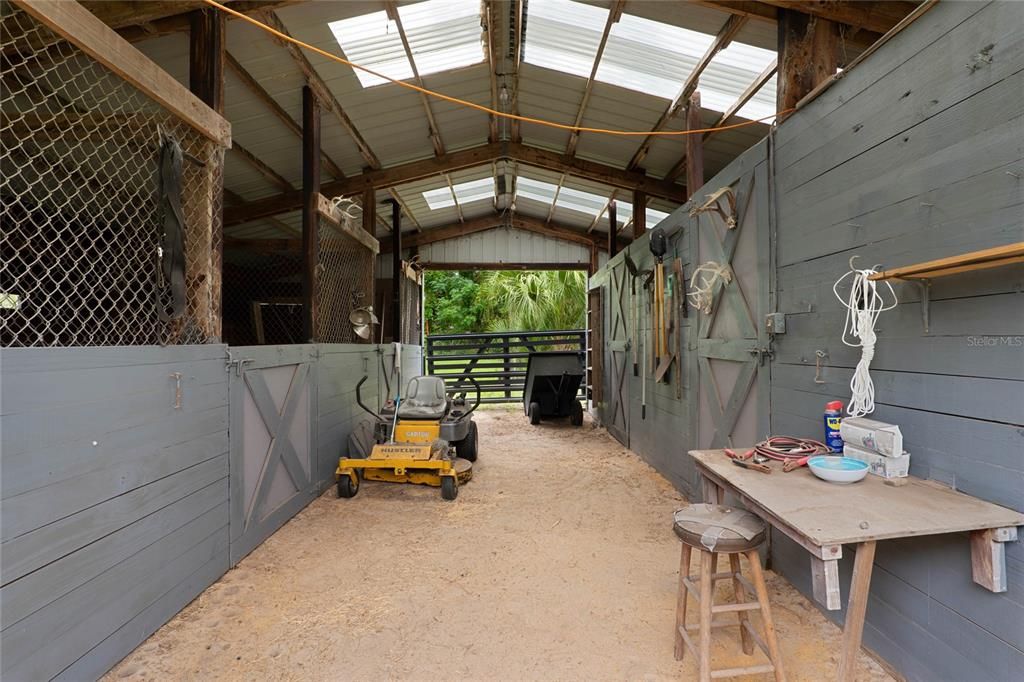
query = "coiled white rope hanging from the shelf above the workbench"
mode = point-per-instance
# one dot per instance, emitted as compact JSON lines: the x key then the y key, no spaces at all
{"x":864,"y":306}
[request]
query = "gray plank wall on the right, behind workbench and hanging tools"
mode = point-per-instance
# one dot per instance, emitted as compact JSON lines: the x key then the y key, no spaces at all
{"x":916,"y":154}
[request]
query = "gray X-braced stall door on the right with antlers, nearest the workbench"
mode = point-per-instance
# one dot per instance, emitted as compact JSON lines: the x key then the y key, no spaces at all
{"x":733,"y":347}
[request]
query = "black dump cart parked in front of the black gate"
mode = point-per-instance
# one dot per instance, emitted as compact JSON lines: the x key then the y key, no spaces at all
{"x":552,"y":390}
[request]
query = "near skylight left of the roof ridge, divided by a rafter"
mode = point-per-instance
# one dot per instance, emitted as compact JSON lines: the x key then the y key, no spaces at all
{"x":443,"y":35}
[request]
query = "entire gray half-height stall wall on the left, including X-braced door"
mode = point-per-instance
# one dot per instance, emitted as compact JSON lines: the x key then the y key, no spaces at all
{"x":134,"y":478}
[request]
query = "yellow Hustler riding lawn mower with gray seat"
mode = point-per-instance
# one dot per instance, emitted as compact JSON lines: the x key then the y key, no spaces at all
{"x":423,"y":438}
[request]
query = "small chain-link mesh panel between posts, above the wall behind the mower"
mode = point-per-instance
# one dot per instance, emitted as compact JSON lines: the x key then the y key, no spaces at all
{"x":346,"y":283}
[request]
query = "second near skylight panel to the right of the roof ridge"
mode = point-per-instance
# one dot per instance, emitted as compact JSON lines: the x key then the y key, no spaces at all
{"x":651,"y":57}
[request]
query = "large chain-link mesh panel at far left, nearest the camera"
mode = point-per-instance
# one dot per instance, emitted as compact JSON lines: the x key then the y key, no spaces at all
{"x":84,"y":219}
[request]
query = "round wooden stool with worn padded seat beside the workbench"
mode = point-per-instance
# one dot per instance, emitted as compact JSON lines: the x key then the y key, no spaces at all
{"x":714,"y":530}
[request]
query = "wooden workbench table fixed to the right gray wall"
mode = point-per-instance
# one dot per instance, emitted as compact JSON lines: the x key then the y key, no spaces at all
{"x":822,"y":518}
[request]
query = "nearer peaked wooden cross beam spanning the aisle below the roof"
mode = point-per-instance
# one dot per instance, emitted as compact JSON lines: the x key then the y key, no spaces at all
{"x":479,"y":156}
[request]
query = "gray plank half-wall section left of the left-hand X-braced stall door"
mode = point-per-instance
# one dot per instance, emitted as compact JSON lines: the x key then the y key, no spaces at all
{"x":114,"y":502}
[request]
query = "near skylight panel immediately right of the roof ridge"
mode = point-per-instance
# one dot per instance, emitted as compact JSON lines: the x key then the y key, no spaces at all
{"x":564,"y":35}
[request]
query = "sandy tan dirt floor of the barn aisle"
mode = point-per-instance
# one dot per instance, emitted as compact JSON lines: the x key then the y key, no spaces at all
{"x":557,"y":563}
